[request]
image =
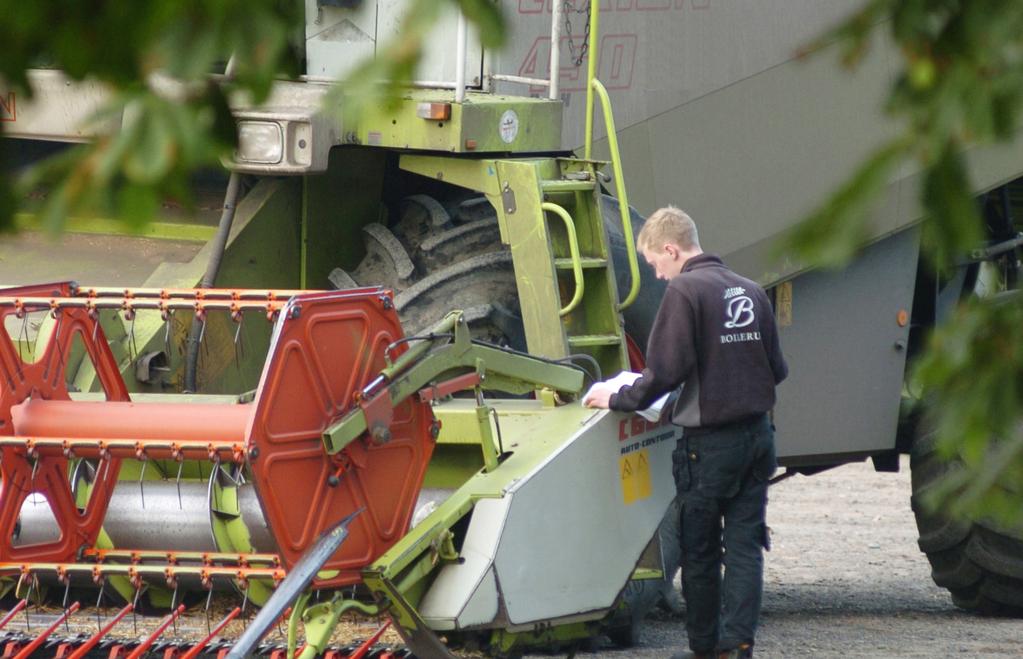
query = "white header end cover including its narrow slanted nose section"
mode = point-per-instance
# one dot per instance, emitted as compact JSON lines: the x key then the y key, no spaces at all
{"x":542,"y":562}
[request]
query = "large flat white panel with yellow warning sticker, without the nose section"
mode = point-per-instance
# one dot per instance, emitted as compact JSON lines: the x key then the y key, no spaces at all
{"x":563,"y":560}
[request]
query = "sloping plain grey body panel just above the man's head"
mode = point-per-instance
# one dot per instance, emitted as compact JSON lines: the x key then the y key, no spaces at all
{"x":748,"y":160}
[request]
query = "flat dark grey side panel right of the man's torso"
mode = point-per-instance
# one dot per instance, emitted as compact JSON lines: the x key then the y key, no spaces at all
{"x":847,"y":355}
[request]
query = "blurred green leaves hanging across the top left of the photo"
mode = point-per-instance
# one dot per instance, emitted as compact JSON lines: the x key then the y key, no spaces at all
{"x":167,"y":117}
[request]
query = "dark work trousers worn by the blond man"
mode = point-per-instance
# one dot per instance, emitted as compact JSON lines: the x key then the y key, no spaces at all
{"x":722,"y":475}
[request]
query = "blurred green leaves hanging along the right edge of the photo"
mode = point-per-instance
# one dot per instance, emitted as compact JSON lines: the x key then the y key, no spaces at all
{"x":959,"y":85}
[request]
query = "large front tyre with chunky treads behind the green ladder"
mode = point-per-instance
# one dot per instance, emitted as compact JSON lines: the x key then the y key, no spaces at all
{"x":442,"y":256}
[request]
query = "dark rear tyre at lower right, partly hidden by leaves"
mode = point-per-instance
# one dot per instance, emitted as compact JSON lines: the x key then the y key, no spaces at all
{"x":978,"y":563}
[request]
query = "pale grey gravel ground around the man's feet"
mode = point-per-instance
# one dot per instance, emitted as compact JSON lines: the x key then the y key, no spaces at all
{"x":846,"y":579}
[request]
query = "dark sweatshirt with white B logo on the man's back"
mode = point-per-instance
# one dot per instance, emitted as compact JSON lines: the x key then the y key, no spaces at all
{"x":716,"y":336}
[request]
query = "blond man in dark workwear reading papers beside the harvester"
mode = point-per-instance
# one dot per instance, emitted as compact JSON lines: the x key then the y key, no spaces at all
{"x":715,"y":336}
